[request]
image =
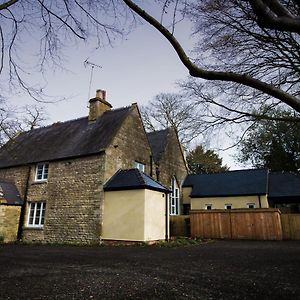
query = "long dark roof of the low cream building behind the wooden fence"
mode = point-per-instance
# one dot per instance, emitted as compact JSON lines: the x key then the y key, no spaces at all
{"x":232,"y":183}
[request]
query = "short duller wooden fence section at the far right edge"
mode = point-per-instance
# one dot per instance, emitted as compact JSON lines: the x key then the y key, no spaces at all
{"x":290,"y":226}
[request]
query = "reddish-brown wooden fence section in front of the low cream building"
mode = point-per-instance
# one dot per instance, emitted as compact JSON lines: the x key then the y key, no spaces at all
{"x":256,"y":224}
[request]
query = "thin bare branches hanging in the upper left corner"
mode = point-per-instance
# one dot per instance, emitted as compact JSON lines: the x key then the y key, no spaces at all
{"x":48,"y":28}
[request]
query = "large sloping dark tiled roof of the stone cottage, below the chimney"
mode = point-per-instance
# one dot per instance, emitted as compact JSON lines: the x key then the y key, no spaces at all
{"x":62,"y":140}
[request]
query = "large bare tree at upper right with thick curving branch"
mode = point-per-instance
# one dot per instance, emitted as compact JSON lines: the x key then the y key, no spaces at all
{"x":224,"y":28}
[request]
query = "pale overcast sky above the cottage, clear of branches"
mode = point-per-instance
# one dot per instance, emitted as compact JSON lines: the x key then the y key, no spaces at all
{"x":134,"y":70}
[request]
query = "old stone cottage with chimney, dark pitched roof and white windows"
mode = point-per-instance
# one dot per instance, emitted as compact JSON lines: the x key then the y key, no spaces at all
{"x":60,"y":170}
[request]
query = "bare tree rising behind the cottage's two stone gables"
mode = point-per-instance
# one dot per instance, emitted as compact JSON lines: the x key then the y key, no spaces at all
{"x":176,"y":111}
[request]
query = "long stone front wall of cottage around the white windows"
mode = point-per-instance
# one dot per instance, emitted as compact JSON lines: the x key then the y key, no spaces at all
{"x":73,"y":195}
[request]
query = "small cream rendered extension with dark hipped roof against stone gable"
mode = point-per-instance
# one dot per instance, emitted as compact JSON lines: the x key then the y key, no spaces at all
{"x":135,"y":208}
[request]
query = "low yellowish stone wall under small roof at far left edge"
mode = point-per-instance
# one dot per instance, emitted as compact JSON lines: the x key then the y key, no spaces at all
{"x":9,"y":222}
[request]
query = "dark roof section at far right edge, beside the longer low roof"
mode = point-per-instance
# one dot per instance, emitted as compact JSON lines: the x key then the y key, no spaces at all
{"x":284,"y":185}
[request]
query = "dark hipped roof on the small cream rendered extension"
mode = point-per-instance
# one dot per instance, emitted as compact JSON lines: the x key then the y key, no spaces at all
{"x":133,"y":179}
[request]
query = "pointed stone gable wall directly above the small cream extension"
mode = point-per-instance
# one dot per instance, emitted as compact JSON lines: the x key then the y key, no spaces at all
{"x":130,"y":144}
